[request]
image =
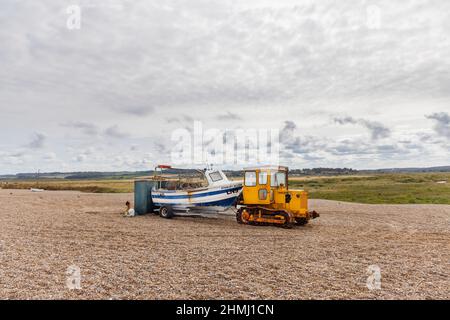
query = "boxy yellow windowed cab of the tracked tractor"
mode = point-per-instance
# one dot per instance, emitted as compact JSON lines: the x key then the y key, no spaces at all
{"x":263,"y":185}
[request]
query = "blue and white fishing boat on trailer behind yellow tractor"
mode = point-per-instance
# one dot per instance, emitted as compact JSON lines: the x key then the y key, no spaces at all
{"x":212,"y":191}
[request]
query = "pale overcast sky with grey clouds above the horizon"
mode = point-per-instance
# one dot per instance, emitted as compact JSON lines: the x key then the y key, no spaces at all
{"x":362,"y":84}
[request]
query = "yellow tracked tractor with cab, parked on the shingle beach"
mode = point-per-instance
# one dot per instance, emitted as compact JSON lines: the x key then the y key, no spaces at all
{"x":267,"y":200}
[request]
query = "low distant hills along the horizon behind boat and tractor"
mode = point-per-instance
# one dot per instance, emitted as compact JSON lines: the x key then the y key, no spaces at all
{"x":231,"y":173}
